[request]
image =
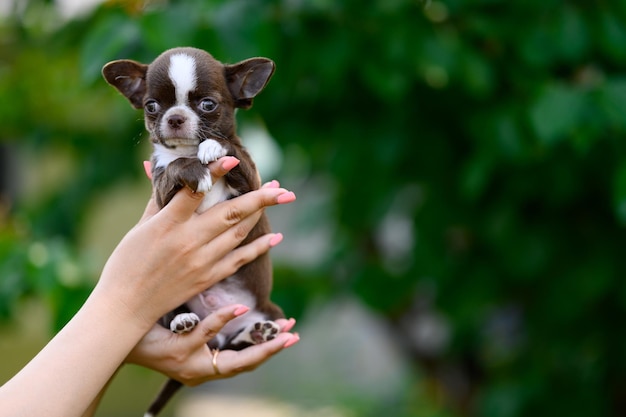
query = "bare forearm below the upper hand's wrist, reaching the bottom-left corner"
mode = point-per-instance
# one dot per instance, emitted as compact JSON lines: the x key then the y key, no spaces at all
{"x":67,"y":376}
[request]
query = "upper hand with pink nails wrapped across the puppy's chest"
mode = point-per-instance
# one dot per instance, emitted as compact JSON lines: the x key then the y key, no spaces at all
{"x":174,"y":253}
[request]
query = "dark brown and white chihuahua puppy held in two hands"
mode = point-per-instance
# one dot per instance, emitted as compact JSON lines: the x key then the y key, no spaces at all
{"x":189,"y":101}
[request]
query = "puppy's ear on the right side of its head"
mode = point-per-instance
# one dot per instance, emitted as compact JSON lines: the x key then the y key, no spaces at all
{"x":247,"y":78}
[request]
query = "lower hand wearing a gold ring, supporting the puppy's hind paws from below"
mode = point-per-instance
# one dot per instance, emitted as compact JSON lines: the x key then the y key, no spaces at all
{"x":188,"y":359}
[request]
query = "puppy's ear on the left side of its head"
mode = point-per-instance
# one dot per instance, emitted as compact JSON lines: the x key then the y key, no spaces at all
{"x":129,"y":77}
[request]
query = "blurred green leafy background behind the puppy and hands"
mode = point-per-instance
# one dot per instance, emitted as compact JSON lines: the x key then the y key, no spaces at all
{"x":460,"y":169}
